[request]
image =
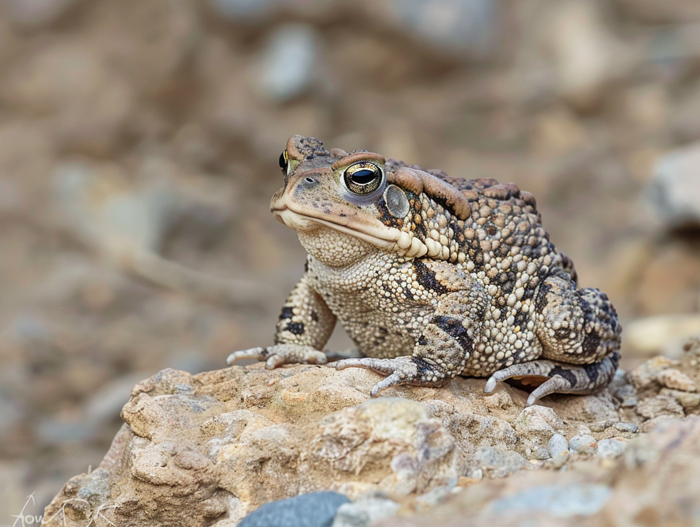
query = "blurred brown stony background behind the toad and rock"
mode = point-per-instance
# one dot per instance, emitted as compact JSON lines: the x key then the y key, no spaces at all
{"x":138,"y":152}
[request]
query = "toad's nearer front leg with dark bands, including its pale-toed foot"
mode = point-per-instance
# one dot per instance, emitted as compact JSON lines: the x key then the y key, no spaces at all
{"x":441,"y":351}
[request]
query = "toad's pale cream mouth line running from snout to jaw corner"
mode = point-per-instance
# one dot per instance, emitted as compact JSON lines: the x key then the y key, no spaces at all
{"x":376,"y":233}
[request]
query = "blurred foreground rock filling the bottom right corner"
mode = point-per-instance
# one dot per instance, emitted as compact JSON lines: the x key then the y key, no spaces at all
{"x":656,"y":473}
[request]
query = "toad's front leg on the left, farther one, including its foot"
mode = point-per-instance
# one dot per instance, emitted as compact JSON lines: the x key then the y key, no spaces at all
{"x":304,"y":327}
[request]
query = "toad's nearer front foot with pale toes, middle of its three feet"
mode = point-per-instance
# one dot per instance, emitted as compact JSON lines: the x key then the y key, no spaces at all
{"x":401,"y":370}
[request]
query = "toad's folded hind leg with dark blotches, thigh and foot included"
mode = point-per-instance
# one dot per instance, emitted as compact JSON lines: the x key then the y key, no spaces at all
{"x":580,"y":337}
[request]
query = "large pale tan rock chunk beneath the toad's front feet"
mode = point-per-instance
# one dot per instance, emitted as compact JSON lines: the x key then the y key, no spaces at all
{"x":296,"y":429}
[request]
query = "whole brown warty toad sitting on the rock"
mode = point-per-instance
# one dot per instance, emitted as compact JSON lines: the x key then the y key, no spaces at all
{"x":434,"y":276}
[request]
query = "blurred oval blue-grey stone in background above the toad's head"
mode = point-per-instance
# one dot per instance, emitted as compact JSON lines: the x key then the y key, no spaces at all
{"x":288,"y":66}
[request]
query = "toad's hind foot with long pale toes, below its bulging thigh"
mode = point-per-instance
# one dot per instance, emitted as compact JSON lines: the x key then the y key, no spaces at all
{"x":560,"y":377}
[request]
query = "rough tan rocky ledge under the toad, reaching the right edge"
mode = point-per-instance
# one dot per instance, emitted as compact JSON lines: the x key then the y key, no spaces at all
{"x":208,"y":449}
